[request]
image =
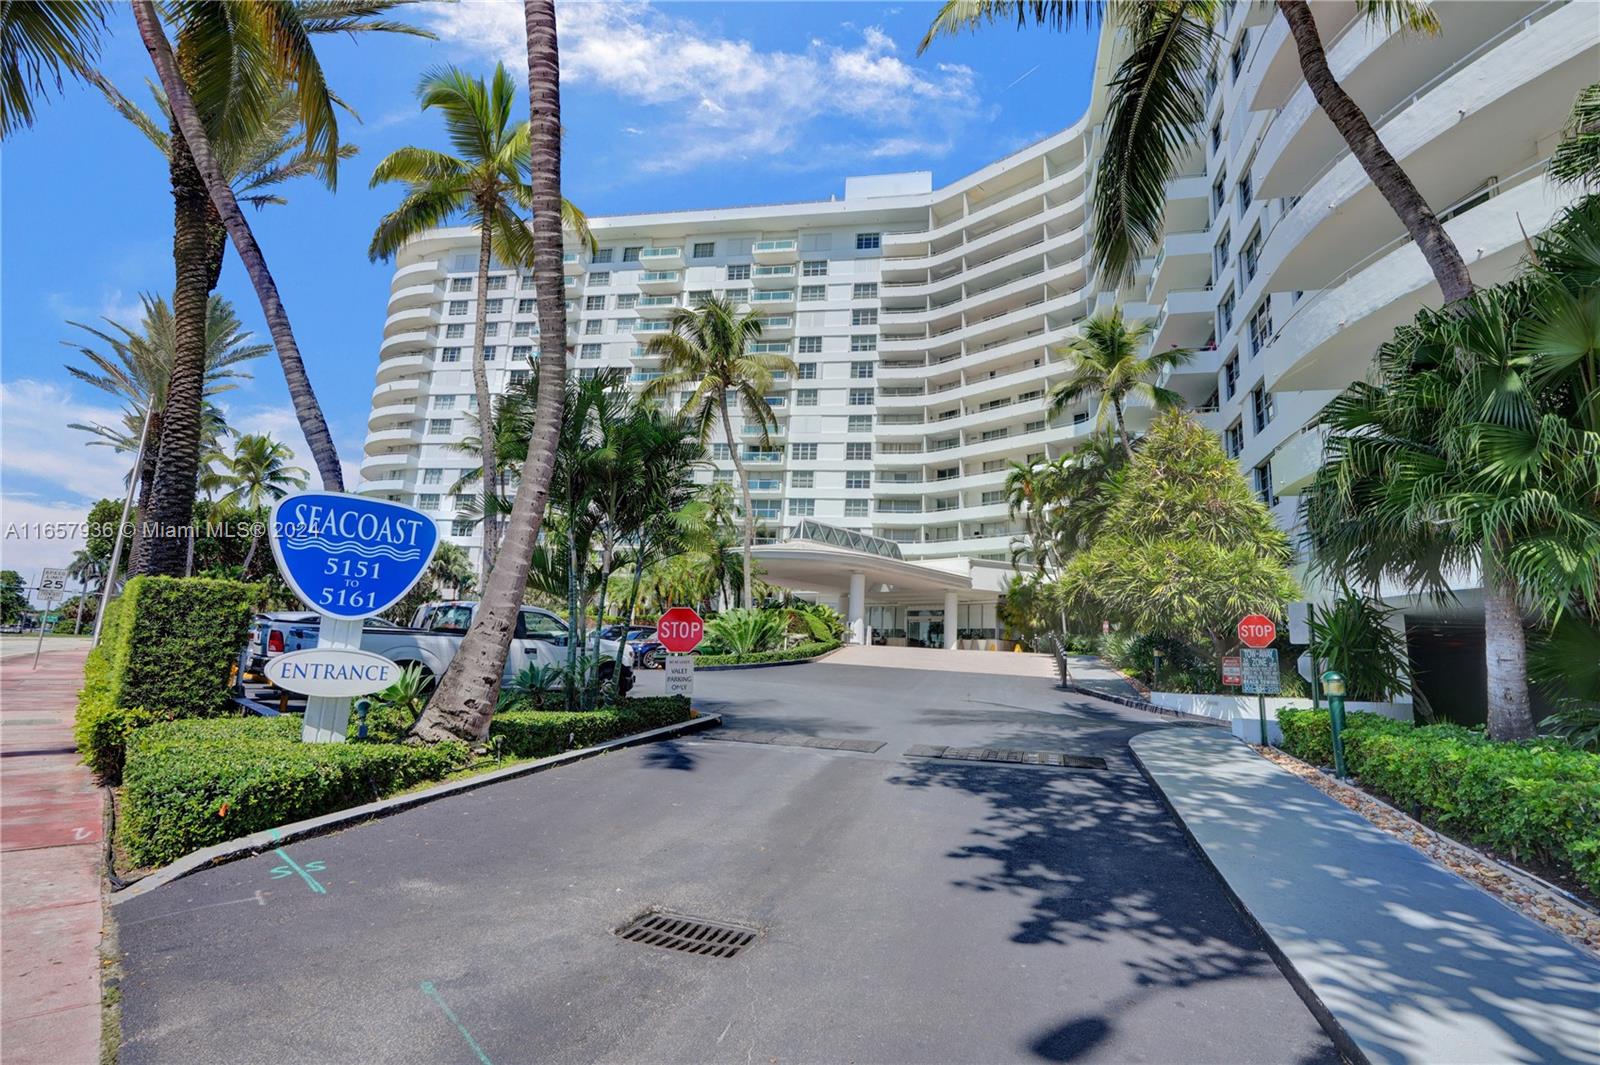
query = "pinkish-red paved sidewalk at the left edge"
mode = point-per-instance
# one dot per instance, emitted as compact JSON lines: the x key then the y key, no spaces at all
{"x":50,"y":868}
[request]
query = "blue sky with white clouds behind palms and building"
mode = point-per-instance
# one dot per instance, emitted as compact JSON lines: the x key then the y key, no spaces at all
{"x":666,"y":106}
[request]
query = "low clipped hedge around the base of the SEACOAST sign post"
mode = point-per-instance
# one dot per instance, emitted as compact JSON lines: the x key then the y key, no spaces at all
{"x":191,"y":784}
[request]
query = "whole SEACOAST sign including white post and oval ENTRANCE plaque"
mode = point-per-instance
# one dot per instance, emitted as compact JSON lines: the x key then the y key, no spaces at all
{"x":348,"y":559}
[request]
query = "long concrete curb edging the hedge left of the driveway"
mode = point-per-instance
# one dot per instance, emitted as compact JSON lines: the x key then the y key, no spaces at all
{"x":260,"y":842}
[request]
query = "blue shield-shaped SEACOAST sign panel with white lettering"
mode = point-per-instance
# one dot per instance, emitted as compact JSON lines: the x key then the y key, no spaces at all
{"x":350,"y":556}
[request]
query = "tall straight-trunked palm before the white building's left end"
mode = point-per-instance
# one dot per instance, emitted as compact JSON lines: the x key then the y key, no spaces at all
{"x":486,"y":181}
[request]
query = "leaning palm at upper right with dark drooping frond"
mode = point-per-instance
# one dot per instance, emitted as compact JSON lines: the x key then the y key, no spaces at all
{"x":1158,"y":103}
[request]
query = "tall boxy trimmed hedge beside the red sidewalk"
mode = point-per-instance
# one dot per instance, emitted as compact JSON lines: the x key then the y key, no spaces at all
{"x":164,"y":655}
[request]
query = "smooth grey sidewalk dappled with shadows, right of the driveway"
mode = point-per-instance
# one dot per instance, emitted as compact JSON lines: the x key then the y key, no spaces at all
{"x":1399,"y":959}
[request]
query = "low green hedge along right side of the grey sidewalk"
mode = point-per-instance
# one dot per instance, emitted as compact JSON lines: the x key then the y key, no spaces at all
{"x":1537,"y":800}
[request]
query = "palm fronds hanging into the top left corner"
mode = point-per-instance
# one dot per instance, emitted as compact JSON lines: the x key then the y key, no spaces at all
{"x":42,"y":41}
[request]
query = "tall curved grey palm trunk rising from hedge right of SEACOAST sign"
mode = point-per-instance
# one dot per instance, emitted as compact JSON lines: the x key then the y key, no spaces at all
{"x":465,"y":700}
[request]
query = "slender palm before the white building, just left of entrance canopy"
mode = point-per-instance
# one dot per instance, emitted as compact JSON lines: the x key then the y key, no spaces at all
{"x":708,"y":348}
